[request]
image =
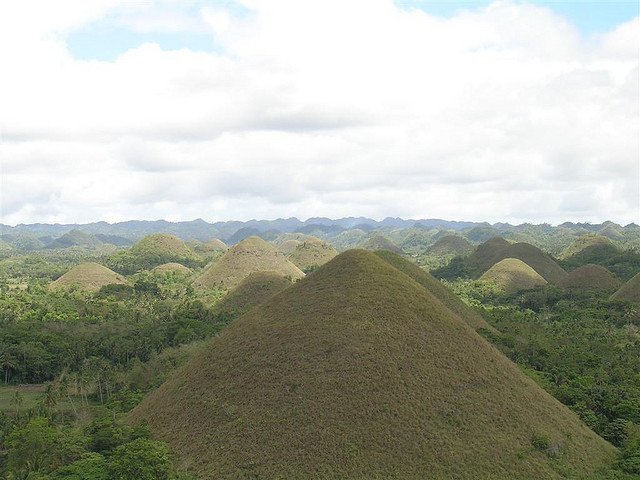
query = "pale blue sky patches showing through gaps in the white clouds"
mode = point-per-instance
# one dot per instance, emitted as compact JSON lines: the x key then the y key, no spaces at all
{"x":107,"y":38}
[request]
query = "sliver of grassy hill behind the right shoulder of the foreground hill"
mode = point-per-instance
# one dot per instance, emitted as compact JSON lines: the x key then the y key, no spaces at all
{"x":437,"y":289}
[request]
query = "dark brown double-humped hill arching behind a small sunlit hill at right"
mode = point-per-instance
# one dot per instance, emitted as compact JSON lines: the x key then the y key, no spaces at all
{"x":496,"y":249}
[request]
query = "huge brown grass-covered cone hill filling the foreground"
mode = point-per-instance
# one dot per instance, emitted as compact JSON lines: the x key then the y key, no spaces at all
{"x":358,"y":372}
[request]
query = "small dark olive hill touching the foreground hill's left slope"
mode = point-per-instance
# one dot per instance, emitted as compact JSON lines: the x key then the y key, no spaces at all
{"x":253,"y":290}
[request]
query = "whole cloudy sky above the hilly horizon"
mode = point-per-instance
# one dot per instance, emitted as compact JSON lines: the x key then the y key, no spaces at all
{"x":503,"y":111}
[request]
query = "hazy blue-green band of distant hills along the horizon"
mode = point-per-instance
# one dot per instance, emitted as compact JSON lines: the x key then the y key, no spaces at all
{"x":343,"y":233}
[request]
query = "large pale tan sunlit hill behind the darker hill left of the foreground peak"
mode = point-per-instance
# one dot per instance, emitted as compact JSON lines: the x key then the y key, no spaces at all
{"x":252,"y":254}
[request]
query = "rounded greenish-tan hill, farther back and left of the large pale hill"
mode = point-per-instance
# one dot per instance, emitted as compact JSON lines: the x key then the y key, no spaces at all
{"x":159,"y":248}
